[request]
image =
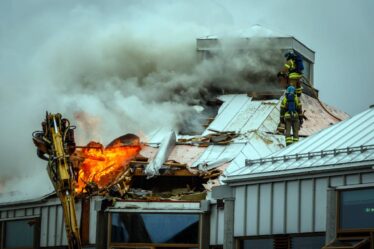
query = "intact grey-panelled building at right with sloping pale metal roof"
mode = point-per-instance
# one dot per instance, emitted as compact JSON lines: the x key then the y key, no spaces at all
{"x":290,"y":198}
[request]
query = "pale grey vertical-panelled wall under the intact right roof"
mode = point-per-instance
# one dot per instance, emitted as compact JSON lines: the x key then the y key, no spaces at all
{"x":288,"y":206}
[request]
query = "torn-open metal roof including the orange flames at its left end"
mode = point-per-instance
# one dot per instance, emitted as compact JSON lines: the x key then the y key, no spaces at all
{"x":178,"y":167}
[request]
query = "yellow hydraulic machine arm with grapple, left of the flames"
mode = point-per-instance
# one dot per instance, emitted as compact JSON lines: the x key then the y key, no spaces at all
{"x":55,"y":144}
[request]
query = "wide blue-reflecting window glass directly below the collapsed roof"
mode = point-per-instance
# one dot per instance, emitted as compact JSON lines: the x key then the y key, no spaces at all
{"x":154,"y":228}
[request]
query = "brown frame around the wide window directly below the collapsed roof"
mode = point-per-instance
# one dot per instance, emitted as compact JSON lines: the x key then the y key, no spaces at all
{"x":152,"y":245}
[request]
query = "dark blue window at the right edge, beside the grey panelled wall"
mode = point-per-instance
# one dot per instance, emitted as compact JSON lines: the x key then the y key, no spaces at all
{"x":356,"y":209}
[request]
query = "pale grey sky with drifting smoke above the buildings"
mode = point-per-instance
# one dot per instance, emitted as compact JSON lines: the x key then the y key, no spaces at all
{"x":74,"y":56}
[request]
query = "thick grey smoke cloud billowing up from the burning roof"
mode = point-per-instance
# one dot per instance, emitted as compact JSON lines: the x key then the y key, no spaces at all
{"x":125,"y":82}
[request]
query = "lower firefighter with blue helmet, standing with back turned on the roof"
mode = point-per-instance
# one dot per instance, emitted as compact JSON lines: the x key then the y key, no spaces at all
{"x":291,"y":115}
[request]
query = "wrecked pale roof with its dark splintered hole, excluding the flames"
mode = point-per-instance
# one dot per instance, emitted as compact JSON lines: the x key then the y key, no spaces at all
{"x":179,"y":167}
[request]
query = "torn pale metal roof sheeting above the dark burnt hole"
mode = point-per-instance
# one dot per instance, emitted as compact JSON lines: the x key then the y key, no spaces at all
{"x":244,"y":128}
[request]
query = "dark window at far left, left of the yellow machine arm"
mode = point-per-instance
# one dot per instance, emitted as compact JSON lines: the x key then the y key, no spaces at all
{"x":19,"y":233}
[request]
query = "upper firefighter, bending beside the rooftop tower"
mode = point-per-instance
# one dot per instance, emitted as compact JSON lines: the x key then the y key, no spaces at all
{"x":292,"y":71}
